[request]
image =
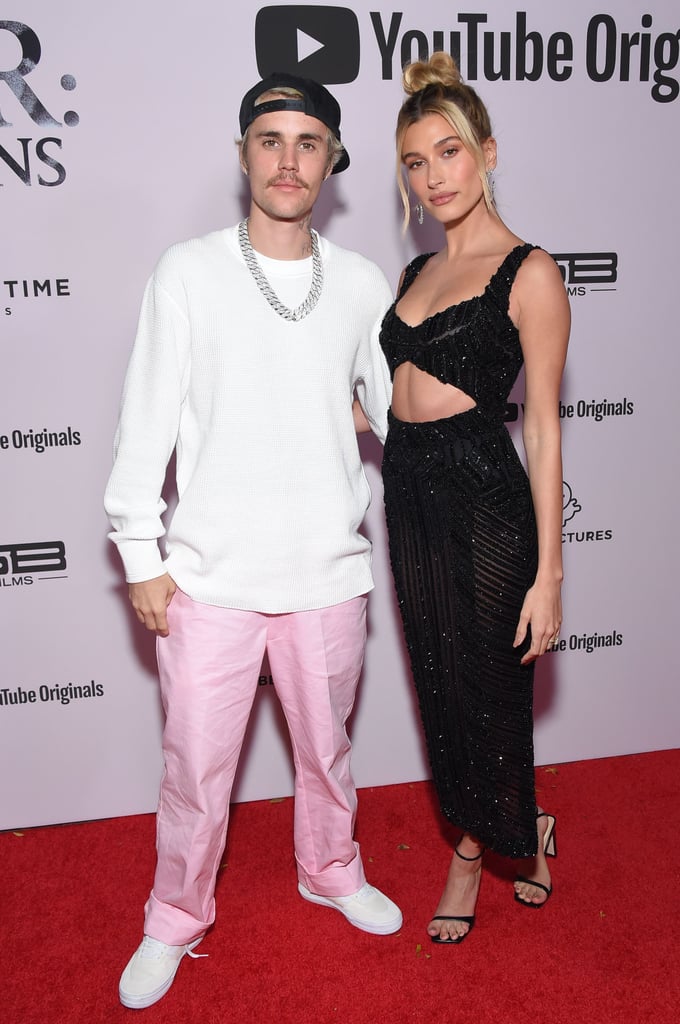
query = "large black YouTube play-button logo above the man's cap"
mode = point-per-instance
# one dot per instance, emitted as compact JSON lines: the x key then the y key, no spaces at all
{"x":322,"y":44}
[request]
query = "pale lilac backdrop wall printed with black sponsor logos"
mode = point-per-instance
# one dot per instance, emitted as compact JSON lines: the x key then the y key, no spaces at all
{"x":117,"y":139}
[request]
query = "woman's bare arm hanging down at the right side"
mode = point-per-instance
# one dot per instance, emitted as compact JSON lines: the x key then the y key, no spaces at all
{"x":543,"y":317}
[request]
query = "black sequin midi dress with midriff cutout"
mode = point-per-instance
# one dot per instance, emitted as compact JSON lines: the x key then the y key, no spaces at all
{"x":464,"y":551}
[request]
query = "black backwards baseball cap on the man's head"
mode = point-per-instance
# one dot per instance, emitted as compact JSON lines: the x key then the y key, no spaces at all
{"x":315,"y":101}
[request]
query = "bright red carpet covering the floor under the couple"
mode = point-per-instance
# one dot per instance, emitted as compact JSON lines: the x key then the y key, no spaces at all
{"x":606,"y":950}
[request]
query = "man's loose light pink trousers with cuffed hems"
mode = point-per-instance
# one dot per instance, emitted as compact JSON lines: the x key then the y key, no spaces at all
{"x":209,"y":667}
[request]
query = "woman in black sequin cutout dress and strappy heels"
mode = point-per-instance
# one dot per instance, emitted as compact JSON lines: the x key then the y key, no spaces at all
{"x":476,"y":543}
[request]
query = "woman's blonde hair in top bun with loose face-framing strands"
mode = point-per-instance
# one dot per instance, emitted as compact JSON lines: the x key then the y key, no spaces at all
{"x":436,"y":87}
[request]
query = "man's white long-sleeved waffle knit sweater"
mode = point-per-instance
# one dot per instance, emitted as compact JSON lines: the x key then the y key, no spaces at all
{"x":272,"y":491}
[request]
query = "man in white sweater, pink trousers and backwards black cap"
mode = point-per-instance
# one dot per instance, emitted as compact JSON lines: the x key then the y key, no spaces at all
{"x":252,"y":344}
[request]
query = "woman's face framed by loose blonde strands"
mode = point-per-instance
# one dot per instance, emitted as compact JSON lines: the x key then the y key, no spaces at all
{"x":443,"y":175}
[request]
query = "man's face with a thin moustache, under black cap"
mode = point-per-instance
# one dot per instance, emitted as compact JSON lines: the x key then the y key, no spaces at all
{"x":287,"y":160}
